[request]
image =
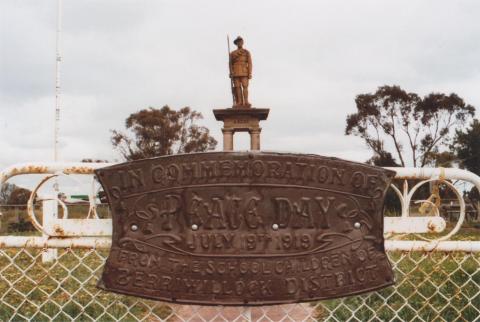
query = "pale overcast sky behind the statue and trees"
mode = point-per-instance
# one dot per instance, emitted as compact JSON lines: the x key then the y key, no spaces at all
{"x":310,"y":60}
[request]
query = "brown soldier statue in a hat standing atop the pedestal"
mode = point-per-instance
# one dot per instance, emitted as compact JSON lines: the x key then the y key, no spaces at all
{"x":240,"y":73}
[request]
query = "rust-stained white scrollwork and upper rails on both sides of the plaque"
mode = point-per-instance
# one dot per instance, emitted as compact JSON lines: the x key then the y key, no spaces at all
{"x":65,"y":227}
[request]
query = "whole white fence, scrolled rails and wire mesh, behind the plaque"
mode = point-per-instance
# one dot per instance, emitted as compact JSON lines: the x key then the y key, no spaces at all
{"x":437,"y":278}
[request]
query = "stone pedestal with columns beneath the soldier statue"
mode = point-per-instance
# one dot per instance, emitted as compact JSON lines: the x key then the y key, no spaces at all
{"x":241,"y":120}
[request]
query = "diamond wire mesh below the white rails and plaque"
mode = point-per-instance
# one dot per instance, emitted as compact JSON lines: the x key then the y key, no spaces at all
{"x":430,"y":286}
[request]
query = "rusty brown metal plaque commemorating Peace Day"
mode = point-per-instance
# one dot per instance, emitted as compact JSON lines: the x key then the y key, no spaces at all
{"x":245,"y":228}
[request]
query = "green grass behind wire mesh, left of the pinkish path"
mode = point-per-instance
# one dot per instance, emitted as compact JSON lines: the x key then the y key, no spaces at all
{"x":64,"y":290}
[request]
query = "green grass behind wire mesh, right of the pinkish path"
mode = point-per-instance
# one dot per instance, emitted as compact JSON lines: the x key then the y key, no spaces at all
{"x":430,"y":286}
